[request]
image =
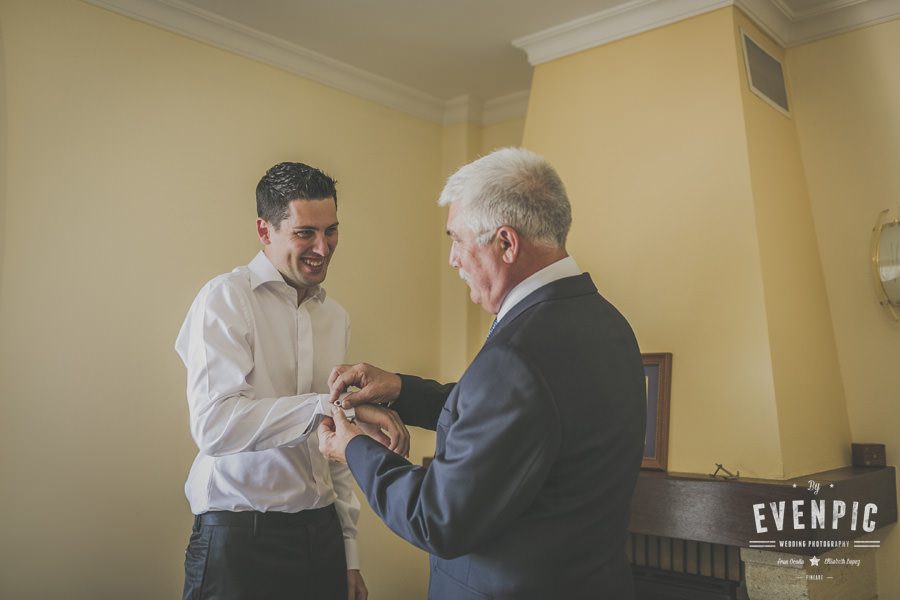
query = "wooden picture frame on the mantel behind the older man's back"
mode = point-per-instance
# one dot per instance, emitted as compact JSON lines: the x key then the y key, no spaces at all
{"x":658,"y":382}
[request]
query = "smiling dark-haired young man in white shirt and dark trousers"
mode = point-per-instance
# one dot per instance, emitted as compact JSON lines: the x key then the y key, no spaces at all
{"x":274,"y":519}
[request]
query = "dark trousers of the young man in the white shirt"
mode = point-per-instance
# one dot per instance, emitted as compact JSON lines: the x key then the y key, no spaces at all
{"x":266,"y":556}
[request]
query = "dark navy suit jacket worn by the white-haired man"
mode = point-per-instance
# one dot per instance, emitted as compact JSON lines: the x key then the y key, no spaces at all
{"x":538,"y":451}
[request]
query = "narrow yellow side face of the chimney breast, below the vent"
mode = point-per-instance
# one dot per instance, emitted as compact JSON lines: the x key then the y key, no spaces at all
{"x":812,"y":415}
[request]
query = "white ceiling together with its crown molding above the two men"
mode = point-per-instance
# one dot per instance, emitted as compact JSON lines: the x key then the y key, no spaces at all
{"x":455,"y":59}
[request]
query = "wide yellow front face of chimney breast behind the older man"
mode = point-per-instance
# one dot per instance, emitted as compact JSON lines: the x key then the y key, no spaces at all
{"x":648,"y":135}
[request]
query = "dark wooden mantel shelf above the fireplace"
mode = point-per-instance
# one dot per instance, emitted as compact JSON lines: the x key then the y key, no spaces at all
{"x":697,"y":507}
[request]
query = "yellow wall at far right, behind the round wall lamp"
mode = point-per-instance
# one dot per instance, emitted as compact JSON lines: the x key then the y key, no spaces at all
{"x":846,"y":92}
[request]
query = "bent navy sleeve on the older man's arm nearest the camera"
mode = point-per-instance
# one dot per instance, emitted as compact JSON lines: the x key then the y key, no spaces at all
{"x":499,"y":447}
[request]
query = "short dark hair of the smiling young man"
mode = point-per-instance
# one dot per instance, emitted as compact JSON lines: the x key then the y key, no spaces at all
{"x":286,"y":182}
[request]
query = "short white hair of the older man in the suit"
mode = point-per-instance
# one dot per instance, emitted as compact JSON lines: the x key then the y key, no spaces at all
{"x":514,"y":187}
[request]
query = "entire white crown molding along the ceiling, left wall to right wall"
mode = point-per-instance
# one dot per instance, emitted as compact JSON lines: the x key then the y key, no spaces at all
{"x":787,"y":27}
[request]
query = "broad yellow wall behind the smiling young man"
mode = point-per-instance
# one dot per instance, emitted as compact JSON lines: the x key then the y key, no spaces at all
{"x":135,"y":154}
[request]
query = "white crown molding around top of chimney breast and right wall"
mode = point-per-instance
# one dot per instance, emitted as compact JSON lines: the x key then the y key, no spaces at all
{"x":787,"y":27}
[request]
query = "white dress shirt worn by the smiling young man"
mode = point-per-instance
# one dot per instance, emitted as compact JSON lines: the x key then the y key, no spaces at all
{"x":255,"y":361}
